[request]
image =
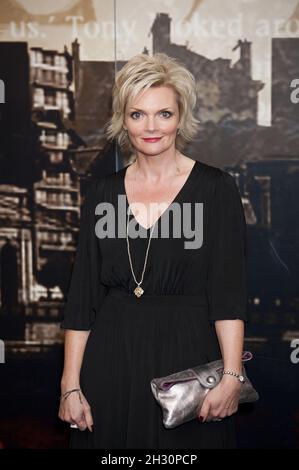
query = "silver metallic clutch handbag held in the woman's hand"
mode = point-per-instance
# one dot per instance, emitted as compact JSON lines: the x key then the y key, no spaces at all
{"x":181,"y":394}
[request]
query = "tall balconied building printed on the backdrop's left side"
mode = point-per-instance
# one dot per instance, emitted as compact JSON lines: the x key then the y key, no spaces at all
{"x":40,"y":197}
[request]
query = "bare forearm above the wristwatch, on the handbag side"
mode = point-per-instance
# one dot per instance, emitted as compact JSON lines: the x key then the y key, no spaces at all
{"x":230,"y":335}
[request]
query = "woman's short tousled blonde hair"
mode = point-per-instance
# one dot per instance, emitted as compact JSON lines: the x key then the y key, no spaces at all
{"x":140,"y":73}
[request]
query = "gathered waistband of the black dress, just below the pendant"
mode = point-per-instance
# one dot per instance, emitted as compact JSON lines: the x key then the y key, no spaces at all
{"x":199,"y":299}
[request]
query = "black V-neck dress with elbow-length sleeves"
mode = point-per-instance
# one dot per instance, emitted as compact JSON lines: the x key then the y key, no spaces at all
{"x":171,"y":326}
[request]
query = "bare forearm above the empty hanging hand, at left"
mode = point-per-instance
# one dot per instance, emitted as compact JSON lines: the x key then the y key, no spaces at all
{"x":74,"y":346}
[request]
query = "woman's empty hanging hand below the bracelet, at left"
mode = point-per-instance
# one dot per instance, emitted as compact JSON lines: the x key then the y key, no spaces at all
{"x":75,"y":410}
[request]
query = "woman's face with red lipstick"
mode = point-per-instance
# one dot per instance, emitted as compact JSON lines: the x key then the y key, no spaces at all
{"x":155,"y":113}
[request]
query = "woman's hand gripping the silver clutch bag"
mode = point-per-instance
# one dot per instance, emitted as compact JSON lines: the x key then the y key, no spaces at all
{"x":222,"y":400}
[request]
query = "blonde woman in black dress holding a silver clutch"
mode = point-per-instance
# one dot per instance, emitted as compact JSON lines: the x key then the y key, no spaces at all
{"x":148,"y":306}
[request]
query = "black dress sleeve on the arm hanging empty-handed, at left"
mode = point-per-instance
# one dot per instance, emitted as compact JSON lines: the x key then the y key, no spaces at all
{"x":85,"y":292}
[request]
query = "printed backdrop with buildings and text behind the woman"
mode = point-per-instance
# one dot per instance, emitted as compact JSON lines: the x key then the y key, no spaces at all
{"x":58,"y":60}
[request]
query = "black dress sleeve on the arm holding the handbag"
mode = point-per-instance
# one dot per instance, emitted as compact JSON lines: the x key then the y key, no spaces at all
{"x":227,"y":279}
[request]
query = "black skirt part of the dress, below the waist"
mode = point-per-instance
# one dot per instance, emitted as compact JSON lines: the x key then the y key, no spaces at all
{"x":132,"y":341}
